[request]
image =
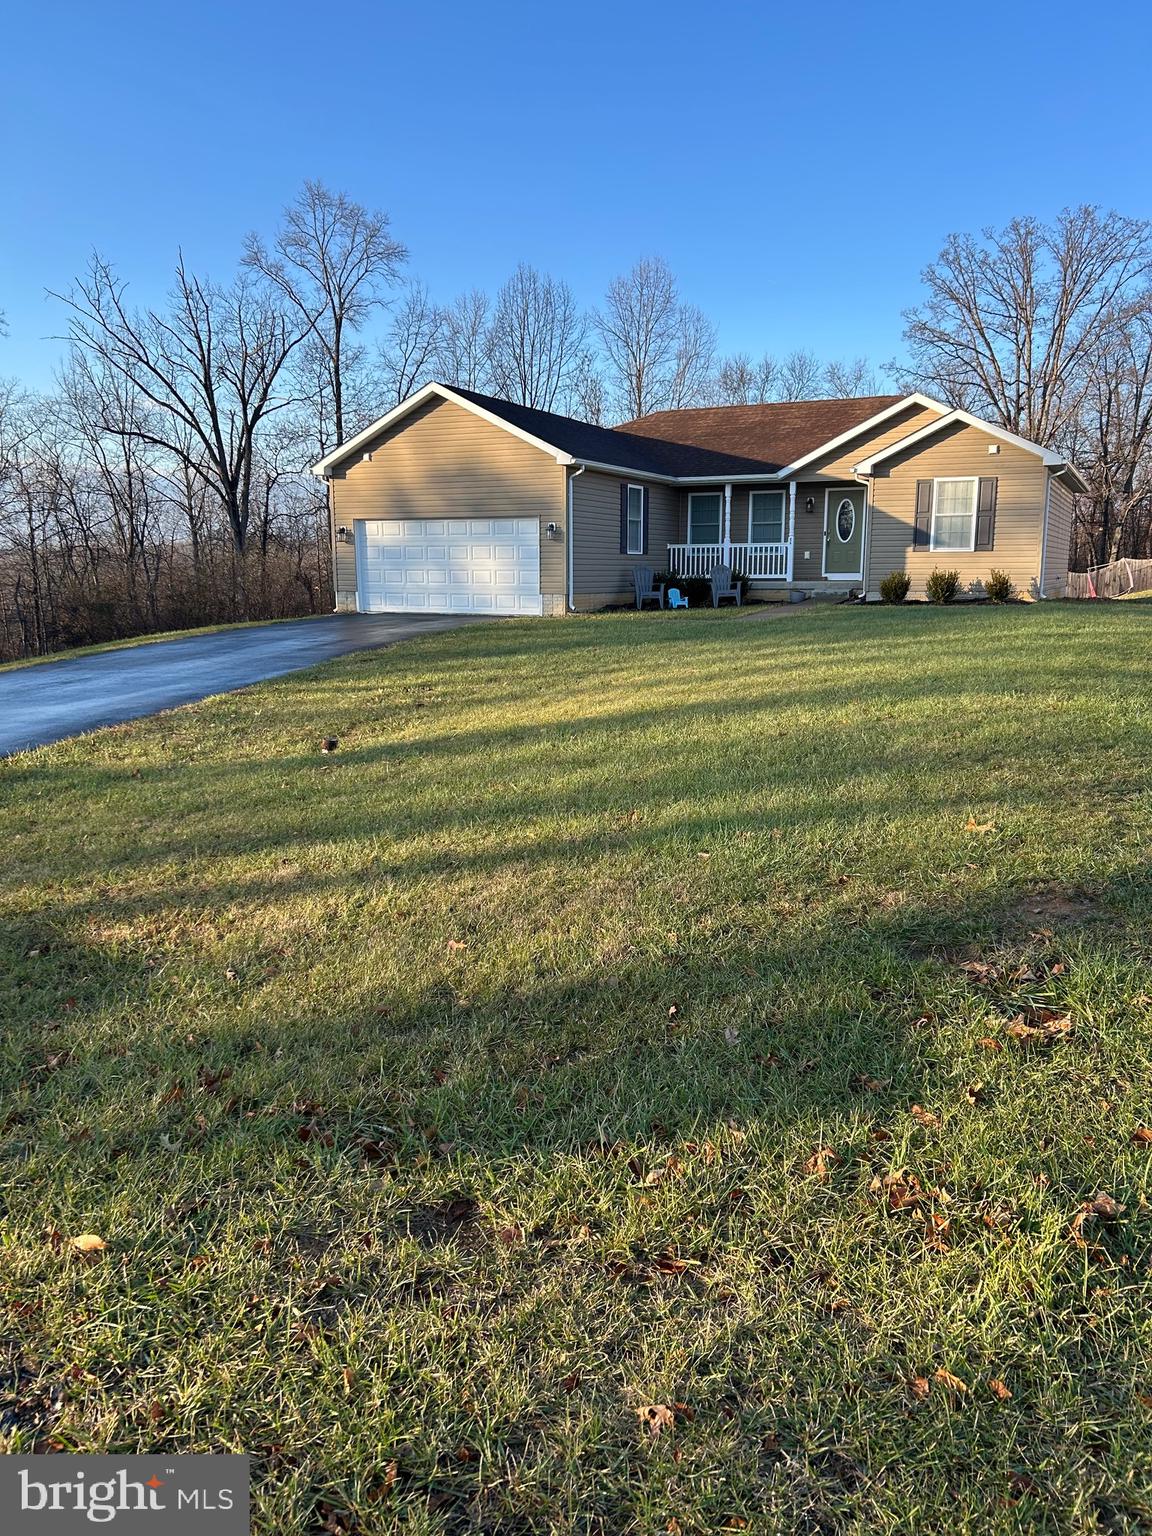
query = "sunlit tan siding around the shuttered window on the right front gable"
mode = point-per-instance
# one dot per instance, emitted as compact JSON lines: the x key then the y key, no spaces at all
{"x":959,"y":452}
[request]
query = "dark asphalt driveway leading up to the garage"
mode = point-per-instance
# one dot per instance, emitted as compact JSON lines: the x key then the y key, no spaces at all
{"x":55,"y":700}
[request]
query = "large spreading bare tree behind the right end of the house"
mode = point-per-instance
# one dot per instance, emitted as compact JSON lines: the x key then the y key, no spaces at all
{"x":1015,"y":317}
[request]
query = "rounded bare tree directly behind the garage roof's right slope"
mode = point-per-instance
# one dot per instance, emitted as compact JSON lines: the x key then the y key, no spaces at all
{"x":535,"y":340}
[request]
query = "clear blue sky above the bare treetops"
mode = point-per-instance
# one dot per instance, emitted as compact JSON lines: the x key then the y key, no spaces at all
{"x":795,"y":165}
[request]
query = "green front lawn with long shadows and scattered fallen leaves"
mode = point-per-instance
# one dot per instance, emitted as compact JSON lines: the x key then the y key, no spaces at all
{"x":606,"y":1093}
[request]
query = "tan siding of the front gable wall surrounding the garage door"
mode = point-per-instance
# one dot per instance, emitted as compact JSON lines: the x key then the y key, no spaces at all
{"x":443,"y":462}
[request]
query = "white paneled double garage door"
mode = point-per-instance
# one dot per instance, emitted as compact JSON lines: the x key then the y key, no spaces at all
{"x":449,"y":566}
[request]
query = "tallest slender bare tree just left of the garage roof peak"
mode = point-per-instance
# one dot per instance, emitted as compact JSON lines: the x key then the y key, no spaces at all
{"x":334,"y":260}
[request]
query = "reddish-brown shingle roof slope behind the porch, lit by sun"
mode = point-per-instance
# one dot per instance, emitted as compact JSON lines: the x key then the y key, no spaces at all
{"x":772,"y":435}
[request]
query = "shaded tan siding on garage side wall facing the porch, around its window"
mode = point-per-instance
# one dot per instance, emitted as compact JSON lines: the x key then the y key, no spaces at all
{"x":601,"y":575}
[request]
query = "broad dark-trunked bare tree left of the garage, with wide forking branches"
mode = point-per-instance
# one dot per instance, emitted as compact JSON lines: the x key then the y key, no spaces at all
{"x":208,"y":366}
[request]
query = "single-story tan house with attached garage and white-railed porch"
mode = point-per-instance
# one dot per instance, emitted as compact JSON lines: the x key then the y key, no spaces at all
{"x":462,"y":503}
